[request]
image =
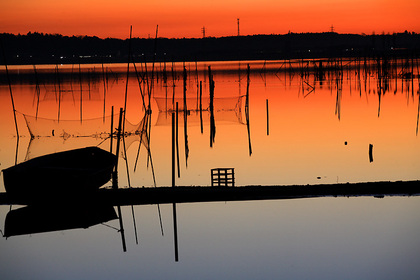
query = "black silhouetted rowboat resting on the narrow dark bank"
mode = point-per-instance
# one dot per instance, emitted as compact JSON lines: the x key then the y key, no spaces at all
{"x":78,"y":170}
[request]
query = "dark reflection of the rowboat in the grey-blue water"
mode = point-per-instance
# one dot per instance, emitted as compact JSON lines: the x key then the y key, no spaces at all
{"x":42,"y":218}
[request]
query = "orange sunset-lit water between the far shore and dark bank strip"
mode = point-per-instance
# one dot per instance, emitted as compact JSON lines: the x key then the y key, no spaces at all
{"x":319,"y":130}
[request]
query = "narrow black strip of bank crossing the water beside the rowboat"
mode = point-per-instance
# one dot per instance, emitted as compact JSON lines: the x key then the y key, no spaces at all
{"x":191,"y":194}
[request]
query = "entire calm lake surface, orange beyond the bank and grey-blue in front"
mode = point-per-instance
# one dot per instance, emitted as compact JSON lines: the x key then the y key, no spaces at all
{"x":305,"y":125}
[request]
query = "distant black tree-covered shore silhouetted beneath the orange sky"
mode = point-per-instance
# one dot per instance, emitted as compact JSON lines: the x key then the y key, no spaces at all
{"x":39,"y":48}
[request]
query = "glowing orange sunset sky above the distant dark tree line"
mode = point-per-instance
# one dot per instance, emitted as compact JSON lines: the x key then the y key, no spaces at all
{"x":185,"y":18}
